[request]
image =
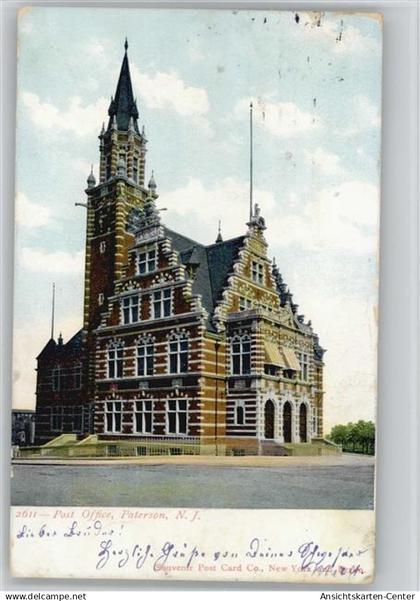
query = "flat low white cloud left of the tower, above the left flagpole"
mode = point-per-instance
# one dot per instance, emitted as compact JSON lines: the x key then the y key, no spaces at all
{"x":39,"y":260}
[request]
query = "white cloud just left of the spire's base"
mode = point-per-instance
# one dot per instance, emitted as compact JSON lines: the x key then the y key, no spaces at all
{"x":82,"y":120}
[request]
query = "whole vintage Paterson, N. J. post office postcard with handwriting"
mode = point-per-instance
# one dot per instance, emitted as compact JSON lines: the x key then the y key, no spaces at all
{"x":195,"y":335}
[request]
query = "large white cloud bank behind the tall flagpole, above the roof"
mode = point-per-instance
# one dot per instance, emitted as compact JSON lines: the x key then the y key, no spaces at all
{"x":337,"y":218}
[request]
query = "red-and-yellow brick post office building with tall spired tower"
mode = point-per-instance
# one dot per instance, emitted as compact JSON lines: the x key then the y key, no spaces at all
{"x":180,"y":340}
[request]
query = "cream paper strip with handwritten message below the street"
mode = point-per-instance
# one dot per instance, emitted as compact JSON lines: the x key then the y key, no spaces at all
{"x":159,"y":543}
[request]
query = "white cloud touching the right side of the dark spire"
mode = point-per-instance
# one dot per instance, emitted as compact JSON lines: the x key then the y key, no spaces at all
{"x":169,"y":91}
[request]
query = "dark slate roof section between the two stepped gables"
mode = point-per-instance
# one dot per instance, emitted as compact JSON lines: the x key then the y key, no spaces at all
{"x":213,"y":265}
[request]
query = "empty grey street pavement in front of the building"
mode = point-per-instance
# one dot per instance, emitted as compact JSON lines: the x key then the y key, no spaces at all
{"x":345,"y":482}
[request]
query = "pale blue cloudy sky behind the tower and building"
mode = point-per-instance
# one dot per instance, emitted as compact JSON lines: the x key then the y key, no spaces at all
{"x":315,"y":82}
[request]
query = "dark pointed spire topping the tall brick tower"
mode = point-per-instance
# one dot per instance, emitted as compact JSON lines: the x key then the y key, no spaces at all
{"x":123,"y":105}
